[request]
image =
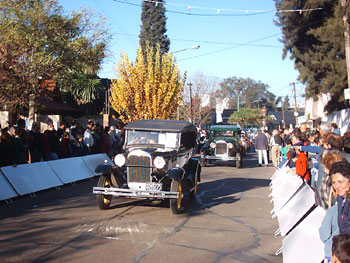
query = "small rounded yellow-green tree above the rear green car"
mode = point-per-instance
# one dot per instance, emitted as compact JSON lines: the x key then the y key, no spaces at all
{"x":246,"y":116}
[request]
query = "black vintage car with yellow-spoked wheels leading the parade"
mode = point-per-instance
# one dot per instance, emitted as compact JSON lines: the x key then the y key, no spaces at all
{"x":157,"y":163}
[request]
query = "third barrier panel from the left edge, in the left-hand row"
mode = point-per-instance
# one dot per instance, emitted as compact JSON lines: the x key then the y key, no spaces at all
{"x":70,"y":169}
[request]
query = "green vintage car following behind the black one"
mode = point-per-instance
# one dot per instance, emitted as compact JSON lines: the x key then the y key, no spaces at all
{"x":224,"y":144}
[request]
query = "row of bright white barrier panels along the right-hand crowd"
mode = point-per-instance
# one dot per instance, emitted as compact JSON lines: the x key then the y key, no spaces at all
{"x":298,"y":217}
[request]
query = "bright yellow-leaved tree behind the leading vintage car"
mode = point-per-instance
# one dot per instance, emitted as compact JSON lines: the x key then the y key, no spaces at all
{"x":149,"y":88}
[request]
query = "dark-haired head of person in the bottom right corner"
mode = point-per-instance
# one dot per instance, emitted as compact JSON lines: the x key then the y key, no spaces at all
{"x":340,"y":249}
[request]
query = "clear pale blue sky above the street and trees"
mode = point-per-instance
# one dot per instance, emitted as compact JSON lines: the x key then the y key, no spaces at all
{"x":237,"y":38}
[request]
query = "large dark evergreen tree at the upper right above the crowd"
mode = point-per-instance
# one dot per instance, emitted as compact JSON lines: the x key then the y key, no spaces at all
{"x":315,"y":41}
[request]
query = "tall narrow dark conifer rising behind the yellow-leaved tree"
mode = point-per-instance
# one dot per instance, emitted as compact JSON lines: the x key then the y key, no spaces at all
{"x":153,"y":26}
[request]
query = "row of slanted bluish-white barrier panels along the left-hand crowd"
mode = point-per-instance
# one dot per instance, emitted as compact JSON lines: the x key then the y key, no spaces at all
{"x":30,"y":178}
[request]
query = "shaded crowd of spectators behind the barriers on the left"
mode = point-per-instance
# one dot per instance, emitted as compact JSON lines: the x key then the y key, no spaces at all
{"x":19,"y":145}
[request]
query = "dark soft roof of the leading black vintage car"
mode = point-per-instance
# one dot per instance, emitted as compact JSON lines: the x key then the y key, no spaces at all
{"x":161,"y":125}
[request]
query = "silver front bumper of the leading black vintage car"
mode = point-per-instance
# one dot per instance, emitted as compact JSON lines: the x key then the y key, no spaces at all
{"x":130,"y":193}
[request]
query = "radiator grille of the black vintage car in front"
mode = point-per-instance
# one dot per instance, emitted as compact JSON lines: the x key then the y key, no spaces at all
{"x":139,"y":170}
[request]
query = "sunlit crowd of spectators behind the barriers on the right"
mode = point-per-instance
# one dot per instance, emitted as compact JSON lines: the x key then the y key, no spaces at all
{"x":321,"y":158}
